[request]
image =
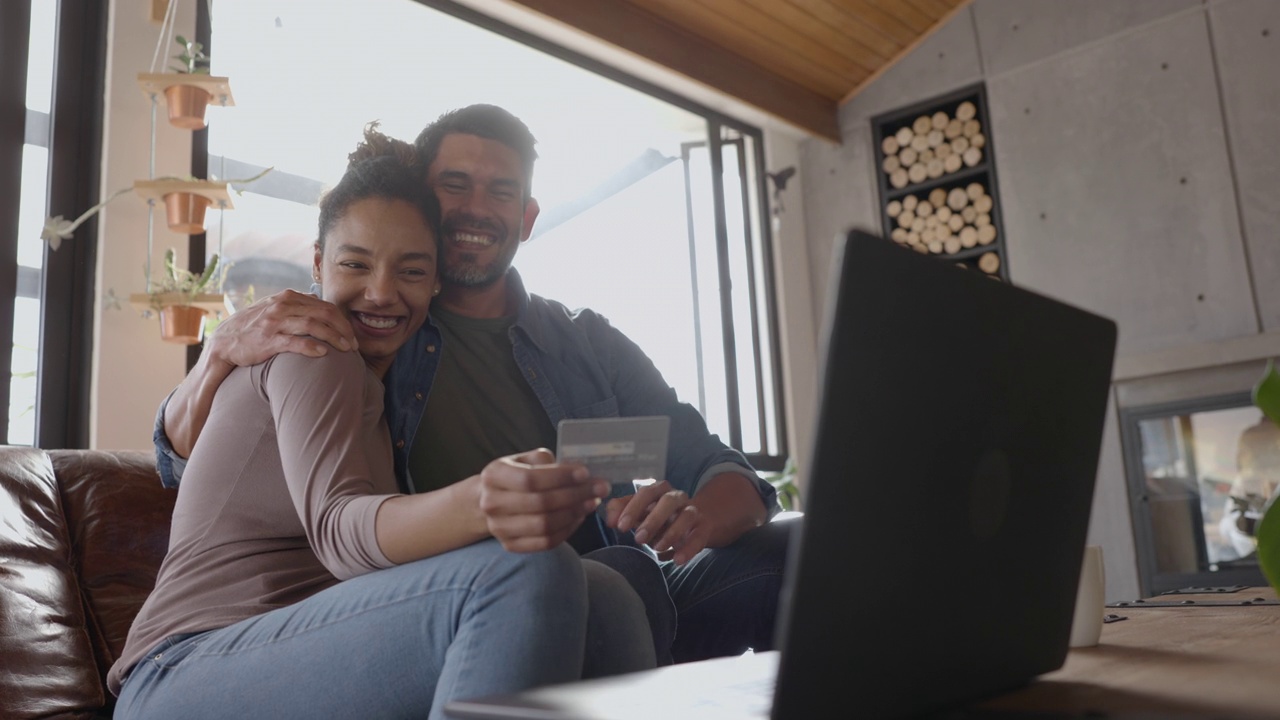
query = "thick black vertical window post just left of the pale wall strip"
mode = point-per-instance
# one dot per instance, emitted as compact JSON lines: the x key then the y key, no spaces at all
{"x":75,"y":166}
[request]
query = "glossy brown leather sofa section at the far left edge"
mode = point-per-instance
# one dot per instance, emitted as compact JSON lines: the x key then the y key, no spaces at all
{"x":49,"y":667}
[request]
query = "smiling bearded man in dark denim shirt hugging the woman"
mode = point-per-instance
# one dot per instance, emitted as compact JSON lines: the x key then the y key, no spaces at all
{"x":500,"y":370}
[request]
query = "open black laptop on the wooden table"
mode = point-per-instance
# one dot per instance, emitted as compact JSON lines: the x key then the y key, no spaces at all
{"x":948,"y":502}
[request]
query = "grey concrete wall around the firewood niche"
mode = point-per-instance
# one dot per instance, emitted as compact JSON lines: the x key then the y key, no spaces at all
{"x":1140,"y":177}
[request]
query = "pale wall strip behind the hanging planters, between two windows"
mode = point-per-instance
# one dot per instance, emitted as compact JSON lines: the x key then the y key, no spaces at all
{"x":134,"y":370}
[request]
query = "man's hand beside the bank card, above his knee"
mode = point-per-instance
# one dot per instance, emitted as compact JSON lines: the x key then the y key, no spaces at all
{"x":664,"y":518}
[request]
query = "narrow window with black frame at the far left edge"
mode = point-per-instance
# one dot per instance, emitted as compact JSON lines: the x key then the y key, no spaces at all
{"x":49,"y":153}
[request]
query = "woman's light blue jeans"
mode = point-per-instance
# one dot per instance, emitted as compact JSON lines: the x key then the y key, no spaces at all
{"x":394,"y":644}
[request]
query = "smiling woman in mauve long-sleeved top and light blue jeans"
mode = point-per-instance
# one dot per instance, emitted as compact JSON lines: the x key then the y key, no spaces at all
{"x":298,"y":582}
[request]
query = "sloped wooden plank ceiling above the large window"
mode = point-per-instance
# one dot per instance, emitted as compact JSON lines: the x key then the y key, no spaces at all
{"x":796,"y":60}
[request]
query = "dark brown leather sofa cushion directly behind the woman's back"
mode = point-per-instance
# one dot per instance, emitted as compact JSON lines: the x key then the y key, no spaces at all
{"x":118,"y":516}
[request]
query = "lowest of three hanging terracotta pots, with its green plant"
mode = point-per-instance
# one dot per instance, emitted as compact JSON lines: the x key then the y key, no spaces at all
{"x":184,"y":299}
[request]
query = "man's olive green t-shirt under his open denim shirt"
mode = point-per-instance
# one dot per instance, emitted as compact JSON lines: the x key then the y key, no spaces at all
{"x":481,"y":408}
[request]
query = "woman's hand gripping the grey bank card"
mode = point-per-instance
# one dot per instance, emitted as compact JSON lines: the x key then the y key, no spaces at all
{"x":533,"y":504}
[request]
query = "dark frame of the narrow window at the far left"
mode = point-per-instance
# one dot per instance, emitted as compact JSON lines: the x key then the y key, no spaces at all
{"x":74,"y":135}
